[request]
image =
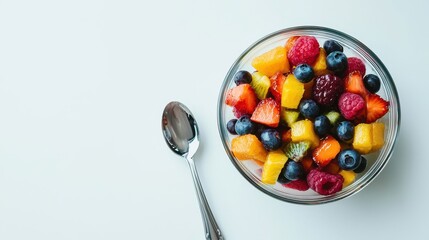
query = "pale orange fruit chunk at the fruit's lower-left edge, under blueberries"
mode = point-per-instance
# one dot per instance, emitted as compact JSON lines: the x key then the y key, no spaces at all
{"x":248,"y":147}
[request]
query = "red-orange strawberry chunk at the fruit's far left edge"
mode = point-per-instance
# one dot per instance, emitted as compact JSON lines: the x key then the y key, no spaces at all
{"x":242,"y":98}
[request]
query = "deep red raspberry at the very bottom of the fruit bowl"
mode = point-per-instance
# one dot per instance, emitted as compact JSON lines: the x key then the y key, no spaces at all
{"x":324,"y":183}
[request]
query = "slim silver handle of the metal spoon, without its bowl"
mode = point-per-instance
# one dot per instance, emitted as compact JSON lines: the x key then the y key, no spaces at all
{"x":211,"y":228}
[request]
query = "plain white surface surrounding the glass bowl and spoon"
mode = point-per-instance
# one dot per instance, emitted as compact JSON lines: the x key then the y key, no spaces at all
{"x":82,"y":87}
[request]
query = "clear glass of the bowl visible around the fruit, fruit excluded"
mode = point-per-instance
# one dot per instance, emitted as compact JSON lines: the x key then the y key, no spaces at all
{"x":352,"y":47}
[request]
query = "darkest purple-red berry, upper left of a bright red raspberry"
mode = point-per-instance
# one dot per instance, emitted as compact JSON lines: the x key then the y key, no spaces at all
{"x":327,"y":89}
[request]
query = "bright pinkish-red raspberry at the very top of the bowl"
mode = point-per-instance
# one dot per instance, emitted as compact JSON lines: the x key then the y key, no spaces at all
{"x":305,"y":50}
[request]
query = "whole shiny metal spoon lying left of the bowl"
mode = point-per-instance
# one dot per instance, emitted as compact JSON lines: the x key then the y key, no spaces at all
{"x":181,"y":134}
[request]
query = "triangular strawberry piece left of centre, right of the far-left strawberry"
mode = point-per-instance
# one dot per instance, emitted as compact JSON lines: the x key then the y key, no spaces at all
{"x":267,"y":112}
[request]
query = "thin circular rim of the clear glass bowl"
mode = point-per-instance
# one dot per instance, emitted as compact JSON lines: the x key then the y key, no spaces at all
{"x":315,"y":30}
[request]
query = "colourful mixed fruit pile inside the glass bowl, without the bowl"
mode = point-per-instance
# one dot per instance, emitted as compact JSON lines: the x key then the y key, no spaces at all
{"x":308,"y":114}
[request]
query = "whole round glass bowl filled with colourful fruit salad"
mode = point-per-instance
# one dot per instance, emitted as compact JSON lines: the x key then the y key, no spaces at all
{"x":308,"y":115}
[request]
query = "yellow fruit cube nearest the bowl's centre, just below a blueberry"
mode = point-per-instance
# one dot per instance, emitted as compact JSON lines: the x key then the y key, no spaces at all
{"x":303,"y":130}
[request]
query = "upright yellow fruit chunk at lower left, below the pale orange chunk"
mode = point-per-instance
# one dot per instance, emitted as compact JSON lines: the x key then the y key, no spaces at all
{"x":273,"y":166}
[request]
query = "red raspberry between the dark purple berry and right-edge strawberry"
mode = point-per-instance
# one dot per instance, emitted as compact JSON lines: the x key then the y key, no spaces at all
{"x":351,"y":105}
